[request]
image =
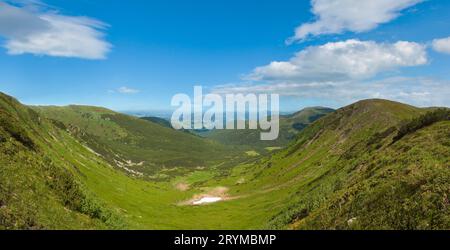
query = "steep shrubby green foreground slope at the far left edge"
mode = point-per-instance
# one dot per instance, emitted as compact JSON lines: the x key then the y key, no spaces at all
{"x":38,"y":190}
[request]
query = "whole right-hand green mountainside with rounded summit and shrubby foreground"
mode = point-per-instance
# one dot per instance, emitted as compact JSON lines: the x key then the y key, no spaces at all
{"x":358,"y":168}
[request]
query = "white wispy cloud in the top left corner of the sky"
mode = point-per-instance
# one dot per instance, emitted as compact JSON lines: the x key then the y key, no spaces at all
{"x":28,"y":28}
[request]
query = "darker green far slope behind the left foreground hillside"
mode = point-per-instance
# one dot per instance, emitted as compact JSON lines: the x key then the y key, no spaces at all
{"x":140,"y":147}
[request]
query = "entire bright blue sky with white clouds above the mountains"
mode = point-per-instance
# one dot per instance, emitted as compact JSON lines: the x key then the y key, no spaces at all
{"x":136,"y":55}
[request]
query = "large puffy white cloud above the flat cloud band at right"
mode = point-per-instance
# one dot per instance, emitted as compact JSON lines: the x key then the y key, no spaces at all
{"x":343,"y":61}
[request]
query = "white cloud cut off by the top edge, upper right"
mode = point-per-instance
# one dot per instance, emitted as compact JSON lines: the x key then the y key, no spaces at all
{"x":338,"y":16}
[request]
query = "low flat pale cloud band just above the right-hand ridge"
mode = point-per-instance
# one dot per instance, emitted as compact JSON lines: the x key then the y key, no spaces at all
{"x":423,"y":92}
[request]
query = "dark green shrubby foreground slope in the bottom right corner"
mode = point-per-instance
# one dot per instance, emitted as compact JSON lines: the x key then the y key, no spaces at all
{"x":404,"y":185}
